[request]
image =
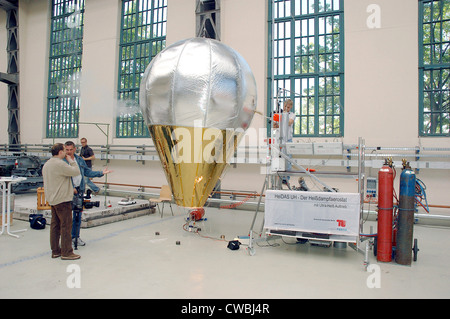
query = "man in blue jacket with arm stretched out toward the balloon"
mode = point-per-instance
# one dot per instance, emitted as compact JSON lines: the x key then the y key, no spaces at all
{"x":79,"y":187}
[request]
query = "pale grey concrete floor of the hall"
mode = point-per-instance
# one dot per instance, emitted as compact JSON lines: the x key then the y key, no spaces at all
{"x":127,"y":259}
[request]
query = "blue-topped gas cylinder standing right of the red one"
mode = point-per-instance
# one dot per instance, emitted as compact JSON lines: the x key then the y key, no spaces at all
{"x":405,"y":224}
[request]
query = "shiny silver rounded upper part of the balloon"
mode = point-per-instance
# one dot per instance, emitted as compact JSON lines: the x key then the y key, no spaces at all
{"x":198,"y":80}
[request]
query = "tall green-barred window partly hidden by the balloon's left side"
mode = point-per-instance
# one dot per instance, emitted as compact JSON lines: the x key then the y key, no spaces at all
{"x":143,"y":36}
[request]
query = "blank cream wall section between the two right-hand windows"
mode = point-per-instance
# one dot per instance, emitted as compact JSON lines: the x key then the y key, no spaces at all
{"x":381,"y":73}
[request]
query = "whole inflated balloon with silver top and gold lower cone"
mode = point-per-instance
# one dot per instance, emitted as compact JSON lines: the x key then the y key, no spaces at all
{"x":197,"y":96}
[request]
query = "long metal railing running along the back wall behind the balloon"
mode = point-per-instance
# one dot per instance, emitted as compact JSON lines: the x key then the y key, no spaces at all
{"x":419,"y":157}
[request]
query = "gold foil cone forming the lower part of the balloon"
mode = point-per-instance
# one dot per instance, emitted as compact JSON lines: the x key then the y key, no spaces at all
{"x":193,"y":159}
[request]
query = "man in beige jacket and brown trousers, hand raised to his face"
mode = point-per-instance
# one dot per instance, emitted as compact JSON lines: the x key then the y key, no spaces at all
{"x":58,"y":191}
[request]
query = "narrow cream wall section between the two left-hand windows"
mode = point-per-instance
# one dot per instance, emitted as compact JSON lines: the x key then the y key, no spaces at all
{"x":99,"y":78}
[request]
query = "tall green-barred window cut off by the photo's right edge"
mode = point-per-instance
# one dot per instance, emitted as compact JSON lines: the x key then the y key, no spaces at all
{"x":434,"y":67}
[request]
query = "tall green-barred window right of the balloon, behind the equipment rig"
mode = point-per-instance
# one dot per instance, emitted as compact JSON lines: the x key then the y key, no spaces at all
{"x":306,"y":60}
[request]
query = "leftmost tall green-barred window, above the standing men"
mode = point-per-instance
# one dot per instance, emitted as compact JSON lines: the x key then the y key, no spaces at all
{"x":66,"y":47}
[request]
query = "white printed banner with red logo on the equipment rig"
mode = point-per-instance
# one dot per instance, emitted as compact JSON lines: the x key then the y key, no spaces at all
{"x":314,"y":212}
